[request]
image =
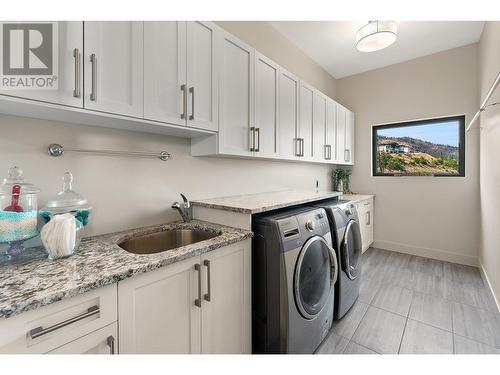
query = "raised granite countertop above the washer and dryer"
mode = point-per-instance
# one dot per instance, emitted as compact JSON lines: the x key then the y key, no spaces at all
{"x":262,"y":202}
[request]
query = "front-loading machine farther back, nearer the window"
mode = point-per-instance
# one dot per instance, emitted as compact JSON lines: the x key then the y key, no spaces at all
{"x":346,"y":236}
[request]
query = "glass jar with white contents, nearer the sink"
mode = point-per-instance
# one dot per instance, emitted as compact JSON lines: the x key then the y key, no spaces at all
{"x":65,"y":216}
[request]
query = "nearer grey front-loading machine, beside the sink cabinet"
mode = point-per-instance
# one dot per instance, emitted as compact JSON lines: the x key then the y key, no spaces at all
{"x":294,"y":270}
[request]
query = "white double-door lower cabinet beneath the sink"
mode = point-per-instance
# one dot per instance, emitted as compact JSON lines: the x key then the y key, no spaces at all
{"x":200,"y":305}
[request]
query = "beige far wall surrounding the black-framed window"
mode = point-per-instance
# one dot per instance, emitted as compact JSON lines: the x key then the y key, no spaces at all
{"x":430,"y":216}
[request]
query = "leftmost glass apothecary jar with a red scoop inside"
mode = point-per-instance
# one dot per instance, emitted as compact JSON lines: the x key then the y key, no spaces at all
{"x":18,"y":211}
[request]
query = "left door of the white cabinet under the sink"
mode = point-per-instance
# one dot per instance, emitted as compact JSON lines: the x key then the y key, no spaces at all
{"x":157,"y":311}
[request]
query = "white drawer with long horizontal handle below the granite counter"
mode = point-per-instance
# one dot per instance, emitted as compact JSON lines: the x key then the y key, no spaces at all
{"x":49,"y":327}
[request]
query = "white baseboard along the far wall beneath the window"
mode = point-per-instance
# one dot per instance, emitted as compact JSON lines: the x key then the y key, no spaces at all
{"x":426,"y":252}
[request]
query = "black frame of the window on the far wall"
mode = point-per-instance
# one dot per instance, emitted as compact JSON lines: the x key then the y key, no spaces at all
{"x":461,"y":144}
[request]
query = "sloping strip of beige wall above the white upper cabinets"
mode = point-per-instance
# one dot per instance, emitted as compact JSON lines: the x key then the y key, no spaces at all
{"x":271,"y":43}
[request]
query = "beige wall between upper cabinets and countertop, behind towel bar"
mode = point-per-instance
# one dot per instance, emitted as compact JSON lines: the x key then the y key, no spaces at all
{"x":133,"y":192}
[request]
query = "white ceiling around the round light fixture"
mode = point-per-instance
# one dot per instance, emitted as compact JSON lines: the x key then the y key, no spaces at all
{"x":332,"y":43}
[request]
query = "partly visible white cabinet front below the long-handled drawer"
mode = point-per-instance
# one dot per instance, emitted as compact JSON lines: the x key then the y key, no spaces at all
{"x":102,"y":341}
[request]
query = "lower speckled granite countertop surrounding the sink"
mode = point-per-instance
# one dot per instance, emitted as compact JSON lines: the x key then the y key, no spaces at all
{"x":33,"y":281}
